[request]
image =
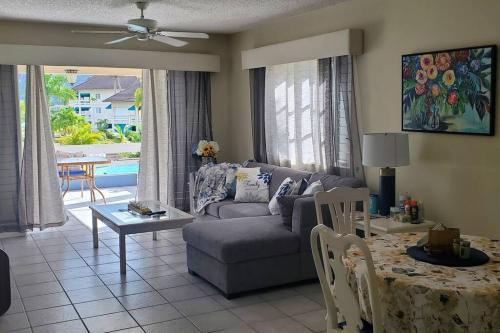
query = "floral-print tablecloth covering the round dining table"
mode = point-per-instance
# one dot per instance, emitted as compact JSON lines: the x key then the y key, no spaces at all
{"x":424,"y":298}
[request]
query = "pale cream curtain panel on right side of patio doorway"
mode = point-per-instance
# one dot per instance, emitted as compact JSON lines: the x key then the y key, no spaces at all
{"x":152,"y":181}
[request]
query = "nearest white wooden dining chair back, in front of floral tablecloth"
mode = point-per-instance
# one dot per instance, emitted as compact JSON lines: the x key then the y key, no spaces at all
{"x":339,"y":296}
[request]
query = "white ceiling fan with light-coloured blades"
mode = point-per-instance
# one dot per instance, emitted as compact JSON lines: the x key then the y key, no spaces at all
{"x":145,"y":29}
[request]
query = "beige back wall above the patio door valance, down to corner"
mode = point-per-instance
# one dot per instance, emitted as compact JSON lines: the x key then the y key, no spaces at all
{"x":12,"y":32}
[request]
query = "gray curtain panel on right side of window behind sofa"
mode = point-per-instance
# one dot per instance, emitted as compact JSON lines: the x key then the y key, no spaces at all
{"x":342,"y":142}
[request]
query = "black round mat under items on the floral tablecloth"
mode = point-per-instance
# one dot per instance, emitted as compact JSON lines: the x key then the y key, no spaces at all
{"x":476,"y":258}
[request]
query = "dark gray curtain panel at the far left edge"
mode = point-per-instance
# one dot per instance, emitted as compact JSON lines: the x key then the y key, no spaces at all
{"x":10,"y":144}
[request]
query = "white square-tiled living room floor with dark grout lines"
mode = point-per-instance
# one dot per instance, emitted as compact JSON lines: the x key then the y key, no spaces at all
{"x":60,"y":283}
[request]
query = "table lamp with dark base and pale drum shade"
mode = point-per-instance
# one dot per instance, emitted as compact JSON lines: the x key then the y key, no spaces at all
{"x":386,"y":151}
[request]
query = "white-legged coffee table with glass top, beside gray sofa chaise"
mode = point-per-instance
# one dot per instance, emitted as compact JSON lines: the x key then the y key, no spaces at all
{"x":123,"y":222}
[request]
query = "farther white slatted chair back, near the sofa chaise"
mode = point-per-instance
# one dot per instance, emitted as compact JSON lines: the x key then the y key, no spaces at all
{"x":341,"y":203}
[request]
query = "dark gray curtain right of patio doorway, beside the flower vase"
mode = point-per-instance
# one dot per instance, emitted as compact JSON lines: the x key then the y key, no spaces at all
{"x":189,"y":116}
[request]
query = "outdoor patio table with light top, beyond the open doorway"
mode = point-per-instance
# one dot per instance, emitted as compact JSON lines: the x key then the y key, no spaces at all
{"x":87,"y":164}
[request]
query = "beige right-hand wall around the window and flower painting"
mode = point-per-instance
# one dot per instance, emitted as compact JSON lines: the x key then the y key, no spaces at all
{"x":457,"y":177}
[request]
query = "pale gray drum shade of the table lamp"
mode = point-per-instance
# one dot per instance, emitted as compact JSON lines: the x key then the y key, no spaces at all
{"x":385,"y":150}
